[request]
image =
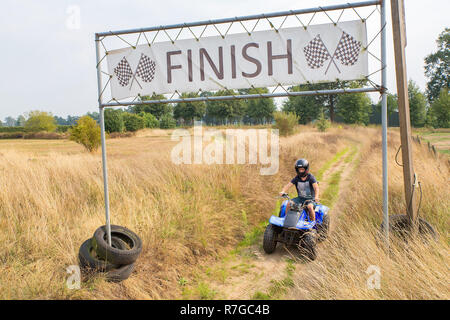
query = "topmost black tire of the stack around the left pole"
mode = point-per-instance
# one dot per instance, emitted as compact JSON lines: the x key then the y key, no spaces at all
{"x":115,"y":255}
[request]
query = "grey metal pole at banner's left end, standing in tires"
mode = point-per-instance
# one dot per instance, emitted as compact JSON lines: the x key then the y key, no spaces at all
{"x":102,"y":126}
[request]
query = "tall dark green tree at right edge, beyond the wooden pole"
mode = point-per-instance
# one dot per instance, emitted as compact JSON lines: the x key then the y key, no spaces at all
{"x":437,"y":67}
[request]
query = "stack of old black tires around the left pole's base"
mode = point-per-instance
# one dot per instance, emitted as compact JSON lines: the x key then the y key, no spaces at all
{"x":117,"y":260}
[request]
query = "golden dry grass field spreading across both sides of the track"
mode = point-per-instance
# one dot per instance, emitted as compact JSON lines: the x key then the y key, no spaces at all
{"x":192,"y":217}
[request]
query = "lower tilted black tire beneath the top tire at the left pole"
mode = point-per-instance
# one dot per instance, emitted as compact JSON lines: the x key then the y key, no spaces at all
{"x":89,"y":260}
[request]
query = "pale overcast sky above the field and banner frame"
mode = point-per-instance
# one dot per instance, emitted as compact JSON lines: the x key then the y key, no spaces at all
{"x":48,"y":55}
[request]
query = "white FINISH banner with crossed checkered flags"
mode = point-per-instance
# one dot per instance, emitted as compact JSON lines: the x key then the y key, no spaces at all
{"x":290,"y":56}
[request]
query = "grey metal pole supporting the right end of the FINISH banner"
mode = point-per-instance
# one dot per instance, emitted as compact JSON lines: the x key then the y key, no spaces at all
{"x":384,"y":122}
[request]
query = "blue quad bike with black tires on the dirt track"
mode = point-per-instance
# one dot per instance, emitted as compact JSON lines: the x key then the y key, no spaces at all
{"x":293,"y":228}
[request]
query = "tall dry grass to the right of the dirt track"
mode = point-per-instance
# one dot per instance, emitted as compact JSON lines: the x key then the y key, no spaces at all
{"x":413,"y":270}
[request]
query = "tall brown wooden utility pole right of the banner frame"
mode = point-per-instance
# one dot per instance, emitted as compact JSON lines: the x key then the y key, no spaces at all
{"x":399,"y":31}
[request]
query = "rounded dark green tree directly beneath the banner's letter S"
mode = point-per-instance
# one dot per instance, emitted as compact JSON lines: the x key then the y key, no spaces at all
{"x":260,"y":110}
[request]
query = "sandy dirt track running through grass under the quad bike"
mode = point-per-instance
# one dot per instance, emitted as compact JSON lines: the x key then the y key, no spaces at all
{"x":254,"y":272}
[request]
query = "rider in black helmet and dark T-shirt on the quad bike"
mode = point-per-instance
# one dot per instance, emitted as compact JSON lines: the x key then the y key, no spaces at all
{"x":307,"y":187}
